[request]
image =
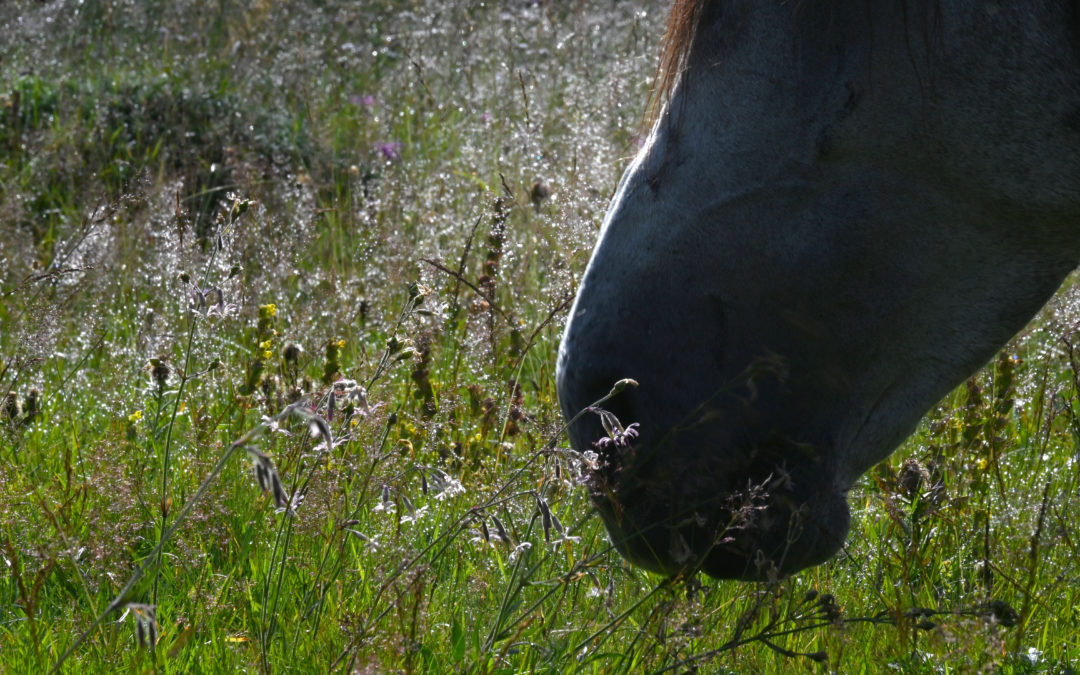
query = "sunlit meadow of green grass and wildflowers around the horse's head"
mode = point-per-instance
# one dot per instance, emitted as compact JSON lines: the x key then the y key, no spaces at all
{"x":210,"y":213}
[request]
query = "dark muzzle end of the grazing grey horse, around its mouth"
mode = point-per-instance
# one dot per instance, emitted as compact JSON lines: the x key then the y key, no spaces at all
{"x":672,"y":523}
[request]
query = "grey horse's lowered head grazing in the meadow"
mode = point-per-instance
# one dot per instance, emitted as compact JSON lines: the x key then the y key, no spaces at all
{"x":842,"y":211}
